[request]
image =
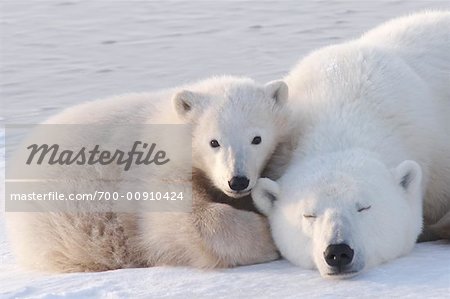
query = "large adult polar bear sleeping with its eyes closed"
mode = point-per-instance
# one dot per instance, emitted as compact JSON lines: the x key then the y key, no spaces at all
{"x":375,"y":118}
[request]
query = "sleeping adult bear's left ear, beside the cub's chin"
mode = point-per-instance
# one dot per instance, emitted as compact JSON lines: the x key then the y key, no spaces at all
{"x":264,"y":195}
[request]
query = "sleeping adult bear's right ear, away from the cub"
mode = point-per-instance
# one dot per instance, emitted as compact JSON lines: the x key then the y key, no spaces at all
{"x":408,"y":175}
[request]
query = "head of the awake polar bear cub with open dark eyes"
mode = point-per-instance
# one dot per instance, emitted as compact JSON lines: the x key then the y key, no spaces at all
{"x":237,"y":124}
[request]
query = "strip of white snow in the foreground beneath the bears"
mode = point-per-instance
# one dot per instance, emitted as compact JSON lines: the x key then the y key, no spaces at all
{"x":423,"y":274}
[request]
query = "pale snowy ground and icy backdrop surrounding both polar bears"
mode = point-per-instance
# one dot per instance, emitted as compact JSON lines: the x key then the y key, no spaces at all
{"x":54,"y":54}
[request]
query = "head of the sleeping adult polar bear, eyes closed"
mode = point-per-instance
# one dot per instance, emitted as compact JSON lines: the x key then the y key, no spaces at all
{"x":342,"y":218}
